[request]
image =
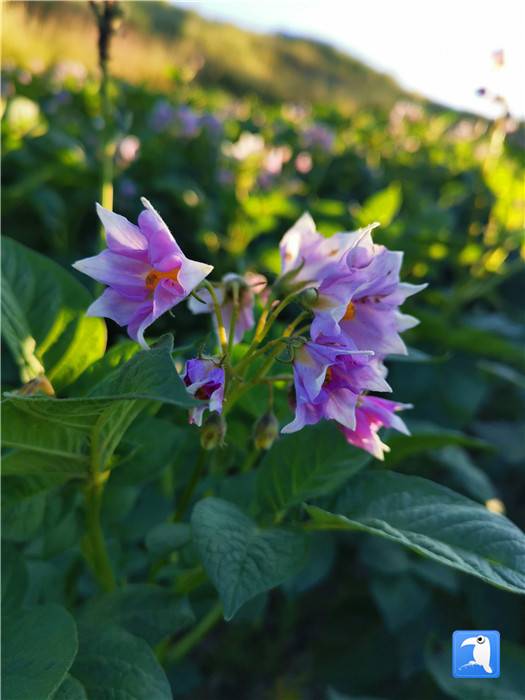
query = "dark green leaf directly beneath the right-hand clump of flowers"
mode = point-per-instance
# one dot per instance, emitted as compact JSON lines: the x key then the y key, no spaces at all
{"x":312,"y":463}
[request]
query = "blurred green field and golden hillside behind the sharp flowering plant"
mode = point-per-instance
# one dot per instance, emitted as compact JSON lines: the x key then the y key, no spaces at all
{"x":233,"y":135}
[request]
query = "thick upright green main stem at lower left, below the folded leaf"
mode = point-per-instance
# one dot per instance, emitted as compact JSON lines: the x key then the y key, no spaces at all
{"x":98,"y":553}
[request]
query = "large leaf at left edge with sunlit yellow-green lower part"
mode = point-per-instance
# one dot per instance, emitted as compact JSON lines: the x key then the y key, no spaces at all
{"x":44,"y":324}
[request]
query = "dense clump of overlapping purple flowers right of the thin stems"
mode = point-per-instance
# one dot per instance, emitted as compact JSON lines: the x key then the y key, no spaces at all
{"x":356,"y":324}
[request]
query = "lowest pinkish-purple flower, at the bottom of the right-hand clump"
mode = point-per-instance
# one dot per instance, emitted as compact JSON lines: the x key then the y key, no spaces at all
{"x":373,"y":413}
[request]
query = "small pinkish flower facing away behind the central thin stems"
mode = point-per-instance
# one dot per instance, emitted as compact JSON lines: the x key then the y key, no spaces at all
{"x":248,"y":286}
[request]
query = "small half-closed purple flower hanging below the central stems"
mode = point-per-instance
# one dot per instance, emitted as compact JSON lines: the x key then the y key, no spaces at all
{"x":204,"y":379}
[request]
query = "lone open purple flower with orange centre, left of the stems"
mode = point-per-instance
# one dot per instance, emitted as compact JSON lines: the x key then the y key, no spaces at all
{"x":145,"y":270}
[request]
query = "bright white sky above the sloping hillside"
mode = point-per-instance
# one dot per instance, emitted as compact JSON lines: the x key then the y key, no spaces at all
{"x":441,"y":50}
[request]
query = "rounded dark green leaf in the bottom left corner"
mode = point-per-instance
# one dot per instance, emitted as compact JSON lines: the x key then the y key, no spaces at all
{"x":38,"y":648}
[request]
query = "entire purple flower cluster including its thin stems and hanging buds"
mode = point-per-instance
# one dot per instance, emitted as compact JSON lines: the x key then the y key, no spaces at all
{"x":350,"y":286}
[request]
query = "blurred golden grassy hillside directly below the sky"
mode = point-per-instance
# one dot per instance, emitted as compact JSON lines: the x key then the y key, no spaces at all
{"x":158,"y":40}
